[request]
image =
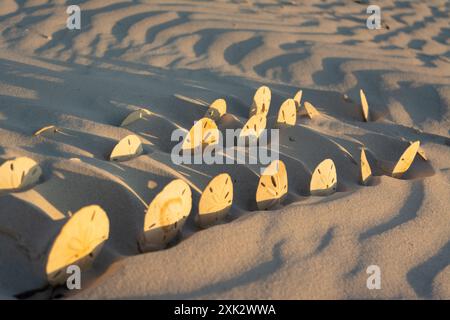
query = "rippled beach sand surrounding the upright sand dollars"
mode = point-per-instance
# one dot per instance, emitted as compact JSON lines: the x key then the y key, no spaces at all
{"x":173,"y":59}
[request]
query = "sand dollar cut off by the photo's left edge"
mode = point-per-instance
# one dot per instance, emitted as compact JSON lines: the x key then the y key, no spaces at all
{"x":19,"y":174}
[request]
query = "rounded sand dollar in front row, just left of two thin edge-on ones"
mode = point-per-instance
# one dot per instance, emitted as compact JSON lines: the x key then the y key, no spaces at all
{"x":324,"y":179}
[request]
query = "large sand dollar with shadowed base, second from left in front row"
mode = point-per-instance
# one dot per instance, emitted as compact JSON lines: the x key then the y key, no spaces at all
{"x":166,"y":215}
